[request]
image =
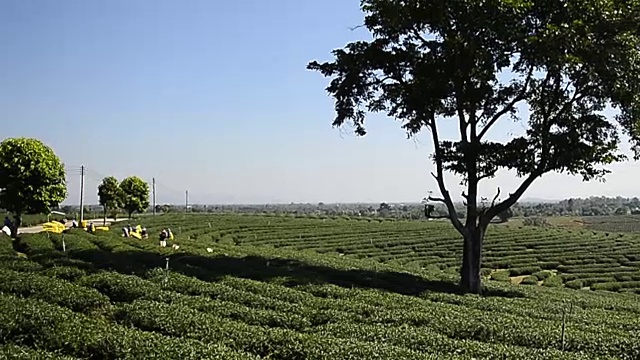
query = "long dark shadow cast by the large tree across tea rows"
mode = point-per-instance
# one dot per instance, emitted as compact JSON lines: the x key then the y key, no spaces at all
{"x":259,"y":268}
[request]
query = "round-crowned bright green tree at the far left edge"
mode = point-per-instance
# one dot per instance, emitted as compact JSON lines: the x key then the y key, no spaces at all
{"x":32,"y":178}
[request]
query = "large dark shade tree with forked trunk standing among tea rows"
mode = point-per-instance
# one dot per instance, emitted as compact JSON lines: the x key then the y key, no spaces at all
{"x":476,"y":64}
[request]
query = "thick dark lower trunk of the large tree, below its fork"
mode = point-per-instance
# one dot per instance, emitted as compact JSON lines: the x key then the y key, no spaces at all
{"x":472,"y":260}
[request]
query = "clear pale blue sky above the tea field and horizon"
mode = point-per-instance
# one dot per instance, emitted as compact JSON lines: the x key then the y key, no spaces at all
{"x":211,"y":97}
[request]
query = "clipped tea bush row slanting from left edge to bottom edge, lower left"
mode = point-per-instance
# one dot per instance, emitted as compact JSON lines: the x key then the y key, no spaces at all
{"x":31,"y":322}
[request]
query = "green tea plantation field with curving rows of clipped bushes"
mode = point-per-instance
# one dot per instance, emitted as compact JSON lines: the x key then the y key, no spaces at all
{"x":280,"y":287}
